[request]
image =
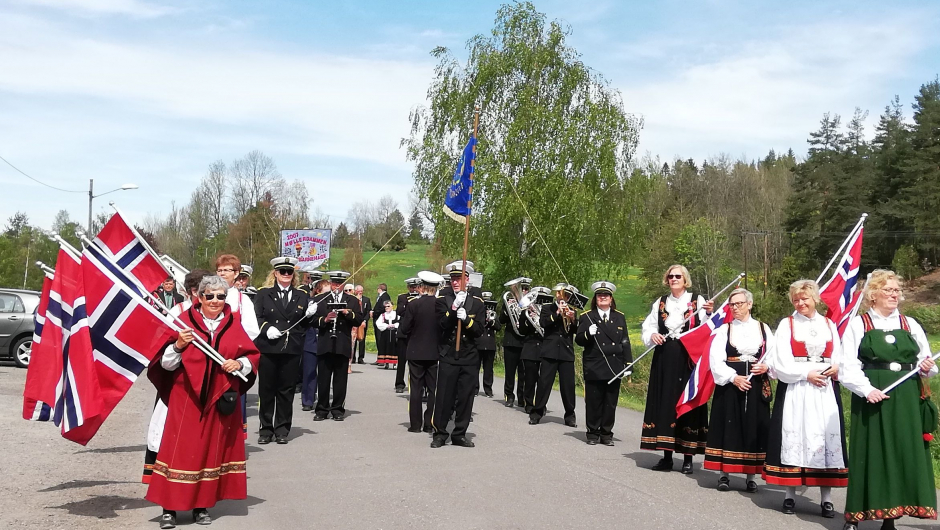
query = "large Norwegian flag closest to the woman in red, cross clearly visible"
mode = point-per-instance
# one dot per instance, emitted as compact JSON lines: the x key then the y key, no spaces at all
{"x":126,"y":333}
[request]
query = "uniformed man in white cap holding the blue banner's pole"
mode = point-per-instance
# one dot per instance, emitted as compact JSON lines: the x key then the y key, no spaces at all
{"x":458,"y":369}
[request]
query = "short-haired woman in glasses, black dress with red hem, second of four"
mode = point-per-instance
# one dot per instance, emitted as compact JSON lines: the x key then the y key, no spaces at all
{"x":737,"y":435}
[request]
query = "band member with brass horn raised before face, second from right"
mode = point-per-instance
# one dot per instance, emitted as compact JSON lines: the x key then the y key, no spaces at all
{"x":558,"y":321}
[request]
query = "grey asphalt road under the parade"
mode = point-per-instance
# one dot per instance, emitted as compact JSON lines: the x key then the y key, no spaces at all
{"x":369,"y":472}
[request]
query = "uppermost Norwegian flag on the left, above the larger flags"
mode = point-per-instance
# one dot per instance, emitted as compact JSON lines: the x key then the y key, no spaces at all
{"x":124,"y":246}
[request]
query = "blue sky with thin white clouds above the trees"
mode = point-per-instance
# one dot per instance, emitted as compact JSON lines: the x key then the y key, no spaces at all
{"x":153,"y":91}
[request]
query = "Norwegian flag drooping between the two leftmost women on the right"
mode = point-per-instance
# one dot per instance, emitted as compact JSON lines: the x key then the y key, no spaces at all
{"x":697,"y":342}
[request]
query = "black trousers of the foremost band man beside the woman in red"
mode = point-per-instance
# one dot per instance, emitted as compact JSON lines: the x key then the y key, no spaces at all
{"x":277,"y":376}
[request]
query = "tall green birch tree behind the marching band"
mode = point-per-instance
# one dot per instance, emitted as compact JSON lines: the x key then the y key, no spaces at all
{"x":554,"y":148}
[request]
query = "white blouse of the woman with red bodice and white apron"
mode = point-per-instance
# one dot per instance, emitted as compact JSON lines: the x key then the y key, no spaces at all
{"x":814,"y":332}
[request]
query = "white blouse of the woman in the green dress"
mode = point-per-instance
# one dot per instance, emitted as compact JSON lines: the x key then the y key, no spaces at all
{"x":851,"y":373}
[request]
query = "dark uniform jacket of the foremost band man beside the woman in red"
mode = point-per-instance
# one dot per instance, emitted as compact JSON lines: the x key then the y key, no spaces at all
{"x":271,"y":312}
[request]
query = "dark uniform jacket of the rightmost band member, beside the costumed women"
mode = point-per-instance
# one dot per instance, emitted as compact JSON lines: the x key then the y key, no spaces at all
{"x":614,"y":352}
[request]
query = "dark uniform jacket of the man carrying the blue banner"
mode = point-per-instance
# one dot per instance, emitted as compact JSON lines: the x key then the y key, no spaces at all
{"x":471,"y":330}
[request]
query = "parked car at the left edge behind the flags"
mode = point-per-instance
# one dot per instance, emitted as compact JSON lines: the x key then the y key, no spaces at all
{"x":17,"y":311}
